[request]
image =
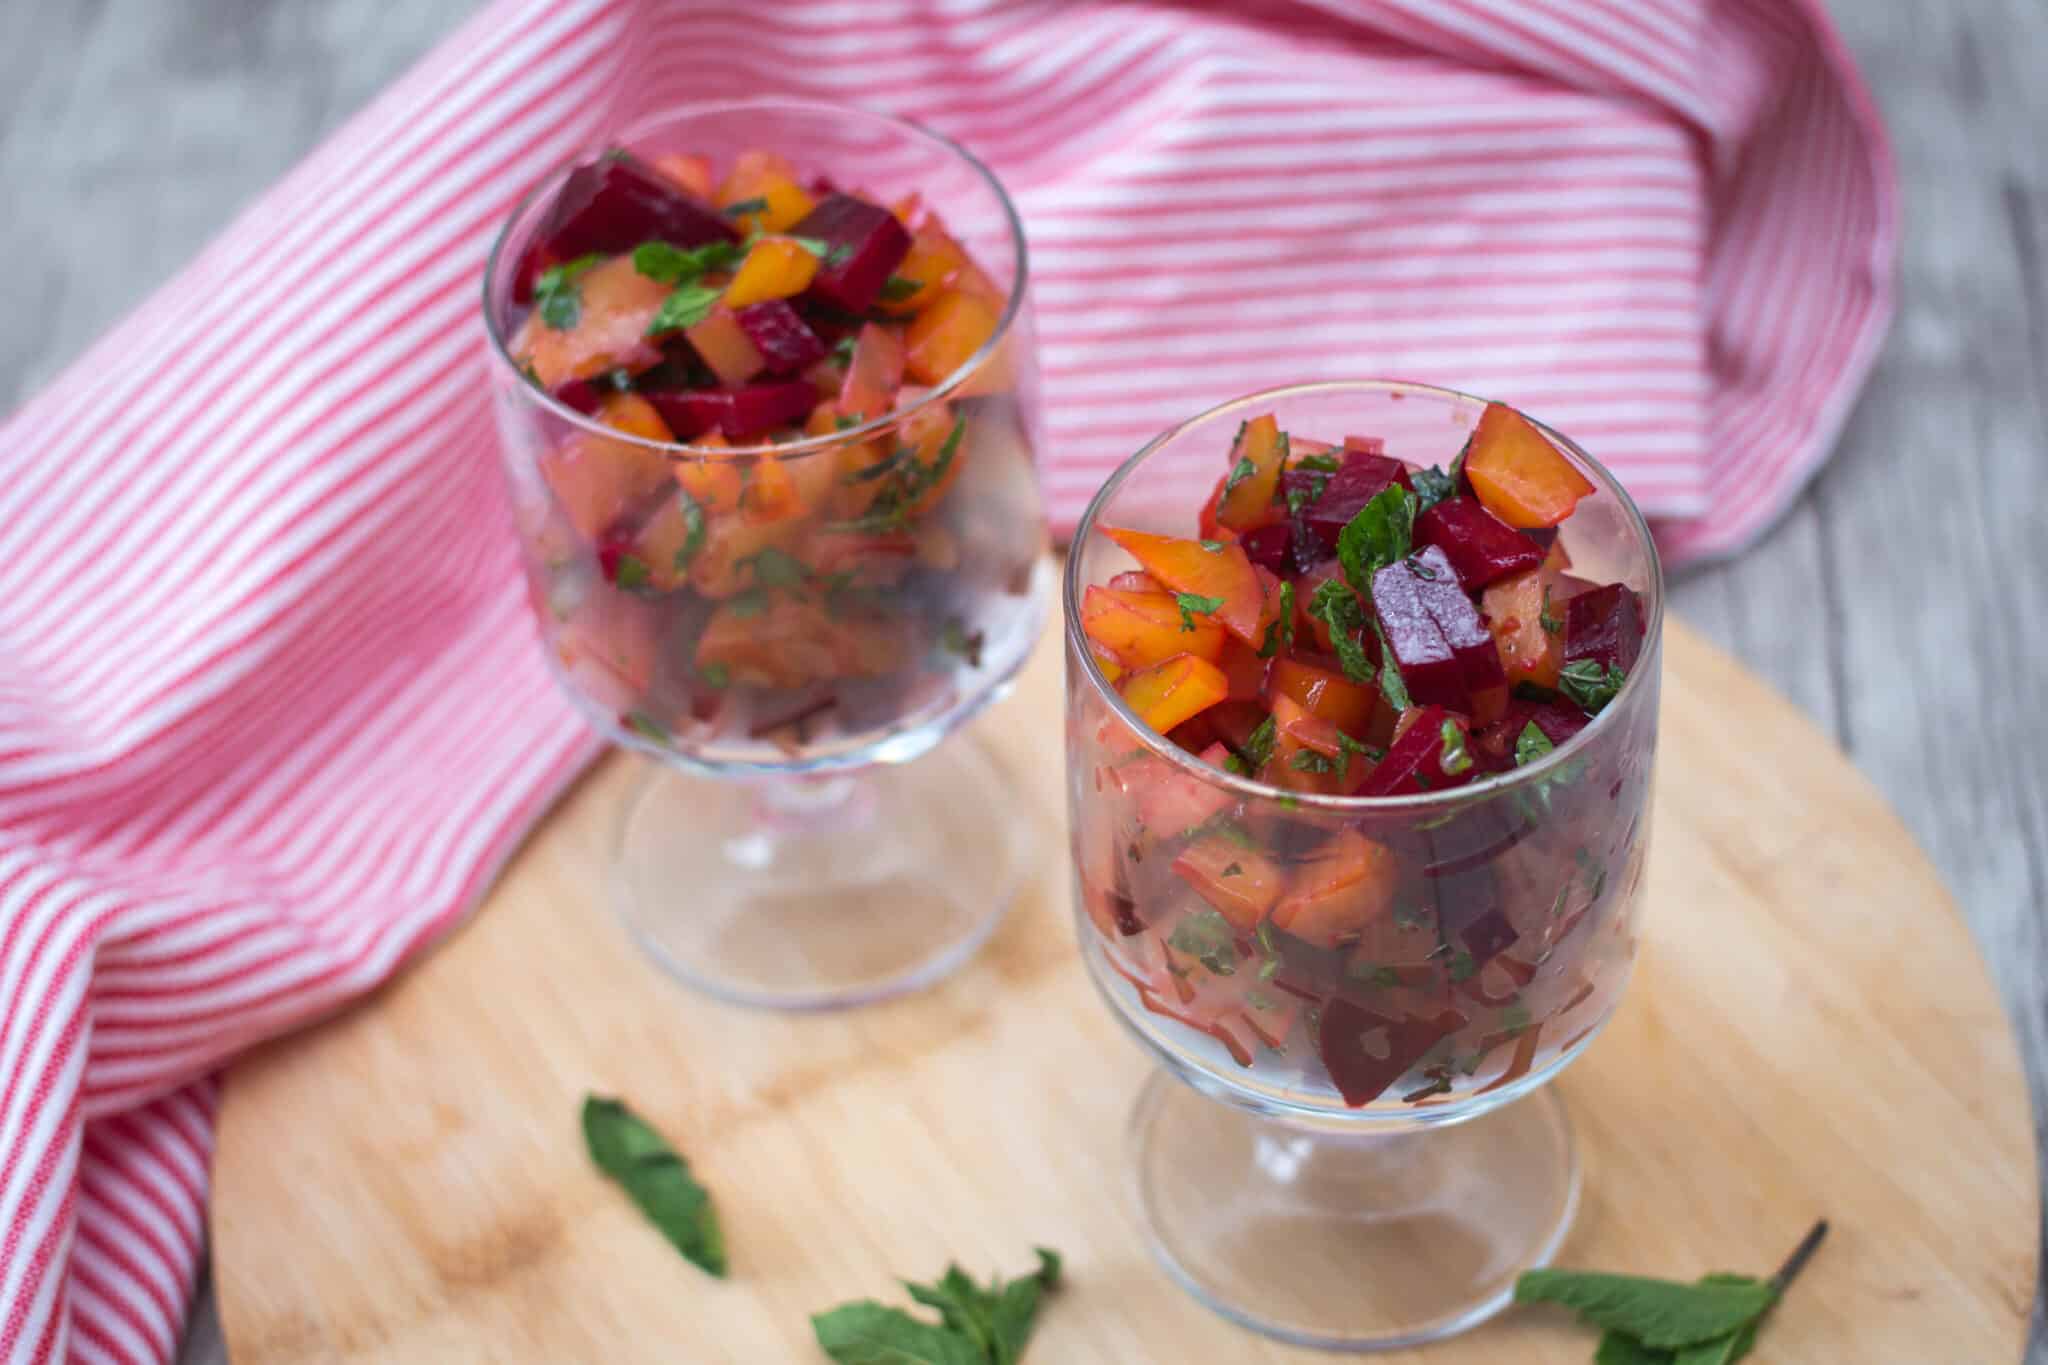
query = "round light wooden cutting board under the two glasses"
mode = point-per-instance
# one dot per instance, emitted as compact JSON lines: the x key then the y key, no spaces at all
{"x":1809,"y":1034}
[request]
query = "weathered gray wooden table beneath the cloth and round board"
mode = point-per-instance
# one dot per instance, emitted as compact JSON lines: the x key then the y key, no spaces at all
{"x":1900,"y":603}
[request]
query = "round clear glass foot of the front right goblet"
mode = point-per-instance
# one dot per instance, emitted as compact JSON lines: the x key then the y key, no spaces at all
{"x":1342,"y":1239}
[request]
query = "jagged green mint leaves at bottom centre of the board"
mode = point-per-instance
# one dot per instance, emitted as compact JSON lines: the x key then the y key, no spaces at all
{"x":978,"y":1325}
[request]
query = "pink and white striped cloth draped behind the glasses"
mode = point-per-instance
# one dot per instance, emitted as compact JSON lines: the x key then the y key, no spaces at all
{"x":269,"y":707}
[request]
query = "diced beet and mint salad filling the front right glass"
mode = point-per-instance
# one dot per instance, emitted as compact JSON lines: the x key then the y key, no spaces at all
{"x":1340,"y":644}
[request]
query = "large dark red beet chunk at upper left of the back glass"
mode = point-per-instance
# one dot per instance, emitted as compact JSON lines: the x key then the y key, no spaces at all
{"x":613,"y":206}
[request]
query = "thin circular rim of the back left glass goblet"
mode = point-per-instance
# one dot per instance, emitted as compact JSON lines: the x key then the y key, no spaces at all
{"x":681,"y":449}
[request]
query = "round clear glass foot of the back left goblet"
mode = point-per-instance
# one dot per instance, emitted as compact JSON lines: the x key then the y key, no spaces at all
{"x":820,"y":893}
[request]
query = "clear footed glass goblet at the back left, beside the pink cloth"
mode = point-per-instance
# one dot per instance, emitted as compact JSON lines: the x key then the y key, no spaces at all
{"x":798,"y":838}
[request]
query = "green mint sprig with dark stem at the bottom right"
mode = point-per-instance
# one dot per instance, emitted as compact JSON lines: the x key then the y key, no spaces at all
{"x":1668,"y":1323}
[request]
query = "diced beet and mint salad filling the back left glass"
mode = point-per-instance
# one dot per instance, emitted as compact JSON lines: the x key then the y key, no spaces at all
{"x":781,"y":500}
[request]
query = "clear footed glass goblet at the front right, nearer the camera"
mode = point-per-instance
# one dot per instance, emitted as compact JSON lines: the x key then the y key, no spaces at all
{"x":1347,"y":1161}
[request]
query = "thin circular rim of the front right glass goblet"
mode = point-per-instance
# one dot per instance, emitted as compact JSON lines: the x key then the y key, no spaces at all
{"x":1252,"y":789}
